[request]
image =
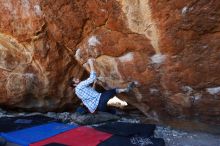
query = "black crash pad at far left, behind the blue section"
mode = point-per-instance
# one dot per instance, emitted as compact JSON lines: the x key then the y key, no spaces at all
{"x":8,"y":124}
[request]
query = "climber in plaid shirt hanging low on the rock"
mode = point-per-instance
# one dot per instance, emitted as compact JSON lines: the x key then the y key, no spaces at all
{"x":92,"y":99}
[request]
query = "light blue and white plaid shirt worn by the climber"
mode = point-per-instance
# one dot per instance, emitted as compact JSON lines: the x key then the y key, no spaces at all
{"x":87,"y":94}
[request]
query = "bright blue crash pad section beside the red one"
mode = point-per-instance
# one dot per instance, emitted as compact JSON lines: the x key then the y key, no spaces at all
{"x":27,"y":136}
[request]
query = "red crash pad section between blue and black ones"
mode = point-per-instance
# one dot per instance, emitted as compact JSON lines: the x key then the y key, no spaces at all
{"x":81,"y":136}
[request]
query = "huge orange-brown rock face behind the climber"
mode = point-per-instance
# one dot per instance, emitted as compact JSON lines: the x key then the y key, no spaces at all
{"x":170,"y":47}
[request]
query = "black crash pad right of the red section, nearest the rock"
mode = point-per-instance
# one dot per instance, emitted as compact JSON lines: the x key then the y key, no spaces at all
{"x":127,"y":129}
